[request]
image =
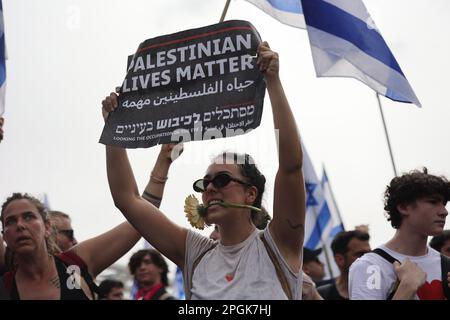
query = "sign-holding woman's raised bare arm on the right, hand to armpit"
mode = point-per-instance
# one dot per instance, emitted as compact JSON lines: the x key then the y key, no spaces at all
{"x":288,"y":222}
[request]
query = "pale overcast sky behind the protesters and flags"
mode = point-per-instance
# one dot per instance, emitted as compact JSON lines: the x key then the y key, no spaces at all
{"x":66,"y":55}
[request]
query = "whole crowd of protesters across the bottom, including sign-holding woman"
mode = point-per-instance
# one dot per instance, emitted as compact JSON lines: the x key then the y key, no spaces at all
{"x":251,"y":254}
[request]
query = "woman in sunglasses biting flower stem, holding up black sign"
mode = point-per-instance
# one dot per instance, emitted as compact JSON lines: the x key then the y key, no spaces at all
{"x":246,"y":263}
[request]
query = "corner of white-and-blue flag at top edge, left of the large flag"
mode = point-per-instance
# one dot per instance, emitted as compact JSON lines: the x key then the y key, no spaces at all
{"x":286,"y":11}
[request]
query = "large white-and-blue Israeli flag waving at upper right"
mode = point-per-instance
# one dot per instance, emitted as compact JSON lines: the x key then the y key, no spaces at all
{"x":346,"y":43}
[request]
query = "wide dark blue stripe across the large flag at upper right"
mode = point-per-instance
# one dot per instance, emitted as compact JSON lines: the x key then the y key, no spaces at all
{"x":328,"y":18}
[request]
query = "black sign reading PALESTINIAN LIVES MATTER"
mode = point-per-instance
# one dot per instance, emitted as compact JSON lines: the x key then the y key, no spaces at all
{"x":192,"y":85}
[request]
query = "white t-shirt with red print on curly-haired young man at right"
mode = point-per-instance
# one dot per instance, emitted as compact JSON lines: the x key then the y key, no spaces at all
{"x":372,"y":277}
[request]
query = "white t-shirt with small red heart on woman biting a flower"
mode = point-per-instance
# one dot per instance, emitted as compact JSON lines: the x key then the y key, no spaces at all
{"x":243,"y":271}
